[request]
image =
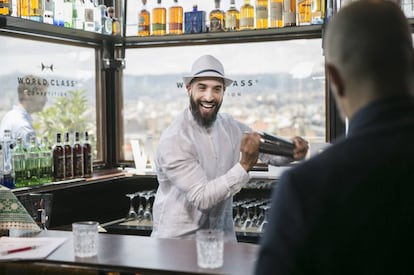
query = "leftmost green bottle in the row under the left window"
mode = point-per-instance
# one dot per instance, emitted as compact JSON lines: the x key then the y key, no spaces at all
{"x":19,"y":164}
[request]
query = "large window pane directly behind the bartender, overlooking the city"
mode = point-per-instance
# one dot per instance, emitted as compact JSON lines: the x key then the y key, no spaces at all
{"x":279,"y":88}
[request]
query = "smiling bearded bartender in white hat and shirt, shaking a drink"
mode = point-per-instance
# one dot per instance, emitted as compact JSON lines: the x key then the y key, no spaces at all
{"x":203,"y":159}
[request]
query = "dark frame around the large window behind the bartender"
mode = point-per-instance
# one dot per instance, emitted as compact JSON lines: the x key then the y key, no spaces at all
{"x":334,"y":126}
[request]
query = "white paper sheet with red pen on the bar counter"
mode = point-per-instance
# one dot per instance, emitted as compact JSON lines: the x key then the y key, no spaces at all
{"x":41,"y":247}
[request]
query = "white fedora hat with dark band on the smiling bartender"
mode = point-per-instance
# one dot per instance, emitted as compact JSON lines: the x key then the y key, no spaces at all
{"x":207,"y":66}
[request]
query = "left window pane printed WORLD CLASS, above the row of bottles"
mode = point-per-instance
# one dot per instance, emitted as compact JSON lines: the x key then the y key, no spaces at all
{"x":61,"y":86}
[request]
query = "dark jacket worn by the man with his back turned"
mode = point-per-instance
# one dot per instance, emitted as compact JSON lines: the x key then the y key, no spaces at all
{"x":349,"y":210}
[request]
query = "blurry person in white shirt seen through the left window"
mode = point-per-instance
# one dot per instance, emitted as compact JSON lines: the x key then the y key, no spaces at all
{"x":32,"y":95}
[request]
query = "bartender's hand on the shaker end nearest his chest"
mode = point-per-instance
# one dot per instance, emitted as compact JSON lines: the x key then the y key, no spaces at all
{"x":249,"y":149}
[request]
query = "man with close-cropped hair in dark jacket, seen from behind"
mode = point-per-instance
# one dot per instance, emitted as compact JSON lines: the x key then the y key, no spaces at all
{"x":350,"y":210}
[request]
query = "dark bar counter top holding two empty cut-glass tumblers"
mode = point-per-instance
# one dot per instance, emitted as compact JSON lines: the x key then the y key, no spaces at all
{"x":126,"y":254}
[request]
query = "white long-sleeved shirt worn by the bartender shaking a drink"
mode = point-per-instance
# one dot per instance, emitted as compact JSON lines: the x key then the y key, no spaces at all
{"x":198,"y":172}
